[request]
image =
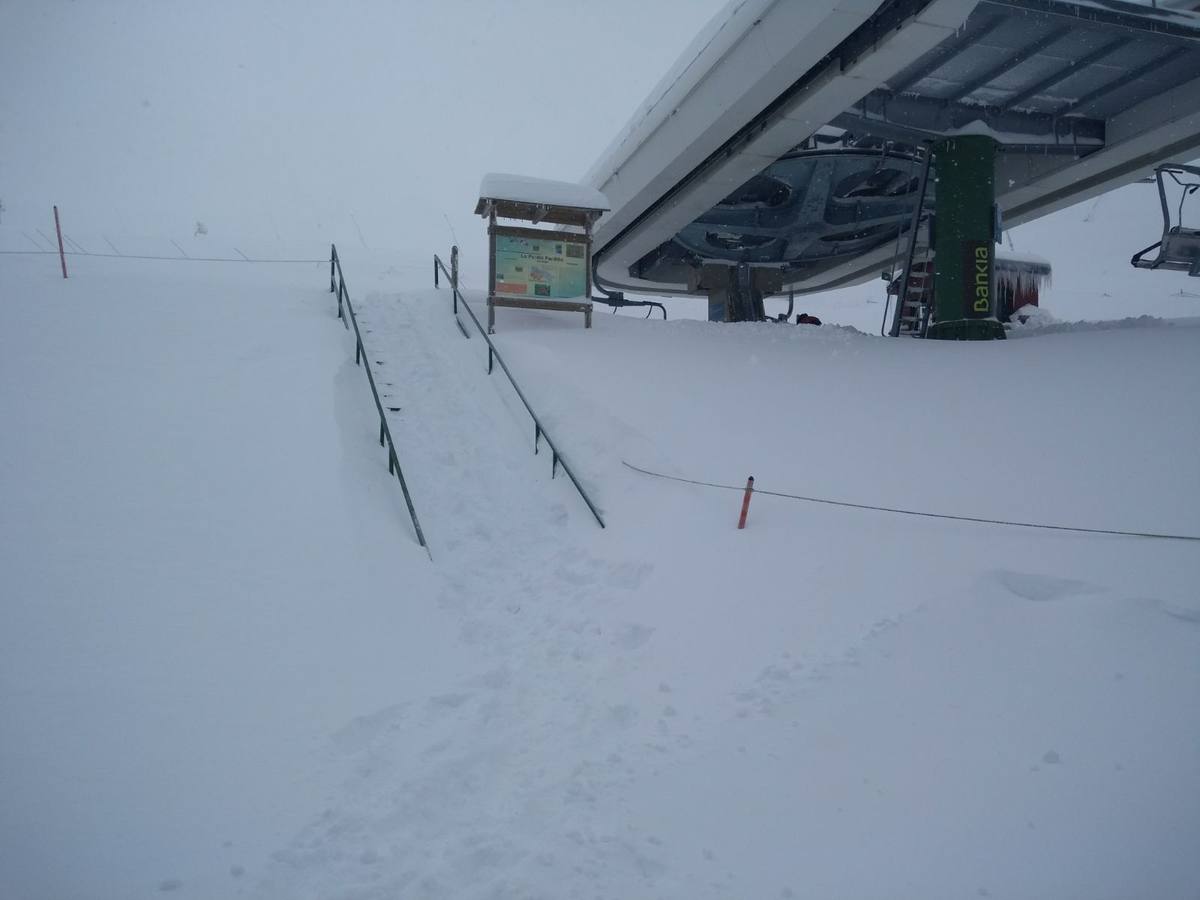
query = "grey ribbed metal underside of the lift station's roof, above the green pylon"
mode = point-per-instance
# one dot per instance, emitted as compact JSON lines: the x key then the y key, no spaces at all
{"x":1037,"y":71}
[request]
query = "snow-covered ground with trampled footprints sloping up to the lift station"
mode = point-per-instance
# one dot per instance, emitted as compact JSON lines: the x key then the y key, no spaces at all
{"x":227,"y":669}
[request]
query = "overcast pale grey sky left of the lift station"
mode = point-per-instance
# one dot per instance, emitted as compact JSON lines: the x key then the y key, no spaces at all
{"x":265,"y":117}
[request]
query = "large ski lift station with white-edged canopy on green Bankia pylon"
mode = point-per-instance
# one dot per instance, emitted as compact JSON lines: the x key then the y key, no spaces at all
{"x":801,"y":147}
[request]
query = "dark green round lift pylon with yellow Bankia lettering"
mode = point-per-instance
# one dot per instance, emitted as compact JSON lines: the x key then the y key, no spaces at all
{"x":964,"y":285}
